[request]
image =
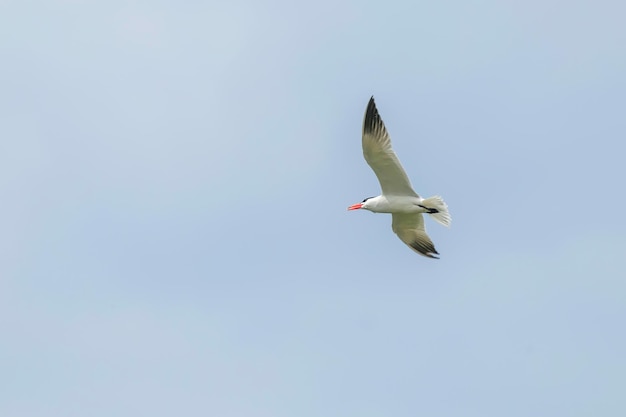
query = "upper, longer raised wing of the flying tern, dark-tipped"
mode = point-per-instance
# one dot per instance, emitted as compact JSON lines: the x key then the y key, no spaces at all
{"x":381,"y":158}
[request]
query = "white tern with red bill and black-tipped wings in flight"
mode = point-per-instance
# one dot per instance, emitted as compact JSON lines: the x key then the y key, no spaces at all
{"x":398,"y":198}
